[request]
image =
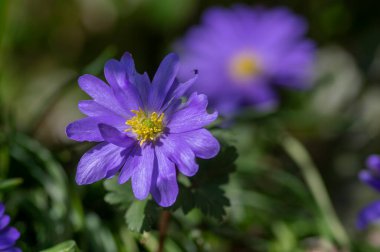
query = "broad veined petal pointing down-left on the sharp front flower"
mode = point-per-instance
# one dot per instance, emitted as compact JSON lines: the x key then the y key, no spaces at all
{"x":102,"y":161}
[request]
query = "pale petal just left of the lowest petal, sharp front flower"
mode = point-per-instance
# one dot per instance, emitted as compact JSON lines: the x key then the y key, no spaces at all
{"x":142,"y":176}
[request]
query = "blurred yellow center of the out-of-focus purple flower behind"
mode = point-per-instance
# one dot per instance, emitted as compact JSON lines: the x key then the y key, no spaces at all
{"x":244,"y":66}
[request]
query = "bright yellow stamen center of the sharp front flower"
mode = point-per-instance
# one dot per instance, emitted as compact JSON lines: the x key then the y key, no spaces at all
{"x":146,"y":127}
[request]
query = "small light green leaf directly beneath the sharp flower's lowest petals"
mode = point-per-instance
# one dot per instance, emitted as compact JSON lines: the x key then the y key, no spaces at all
{"x":142,"y":215}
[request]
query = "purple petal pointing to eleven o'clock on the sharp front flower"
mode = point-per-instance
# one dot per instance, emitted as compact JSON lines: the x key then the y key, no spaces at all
{"x":125,"y":93}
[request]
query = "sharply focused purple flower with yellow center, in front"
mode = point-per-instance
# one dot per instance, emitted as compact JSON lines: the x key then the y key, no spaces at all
{"x":144,"y":129}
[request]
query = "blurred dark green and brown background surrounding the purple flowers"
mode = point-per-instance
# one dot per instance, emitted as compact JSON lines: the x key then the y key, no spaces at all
{"x":45,"y":45}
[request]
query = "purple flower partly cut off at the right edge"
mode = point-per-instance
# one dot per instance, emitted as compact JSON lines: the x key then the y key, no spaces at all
{"x":371,"y":177}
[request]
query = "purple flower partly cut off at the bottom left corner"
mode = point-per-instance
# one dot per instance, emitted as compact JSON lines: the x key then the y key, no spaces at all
{"x":8,"y":235}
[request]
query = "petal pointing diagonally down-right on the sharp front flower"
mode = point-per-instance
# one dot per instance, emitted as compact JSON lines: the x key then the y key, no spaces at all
{"x":181,"y":154}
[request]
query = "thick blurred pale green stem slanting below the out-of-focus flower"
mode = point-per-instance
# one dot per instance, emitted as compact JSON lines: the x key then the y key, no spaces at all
{"x":301,"y":157}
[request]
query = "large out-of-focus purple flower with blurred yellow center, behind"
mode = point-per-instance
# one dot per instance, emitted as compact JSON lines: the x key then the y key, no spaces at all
{"x":243,"y":53}
